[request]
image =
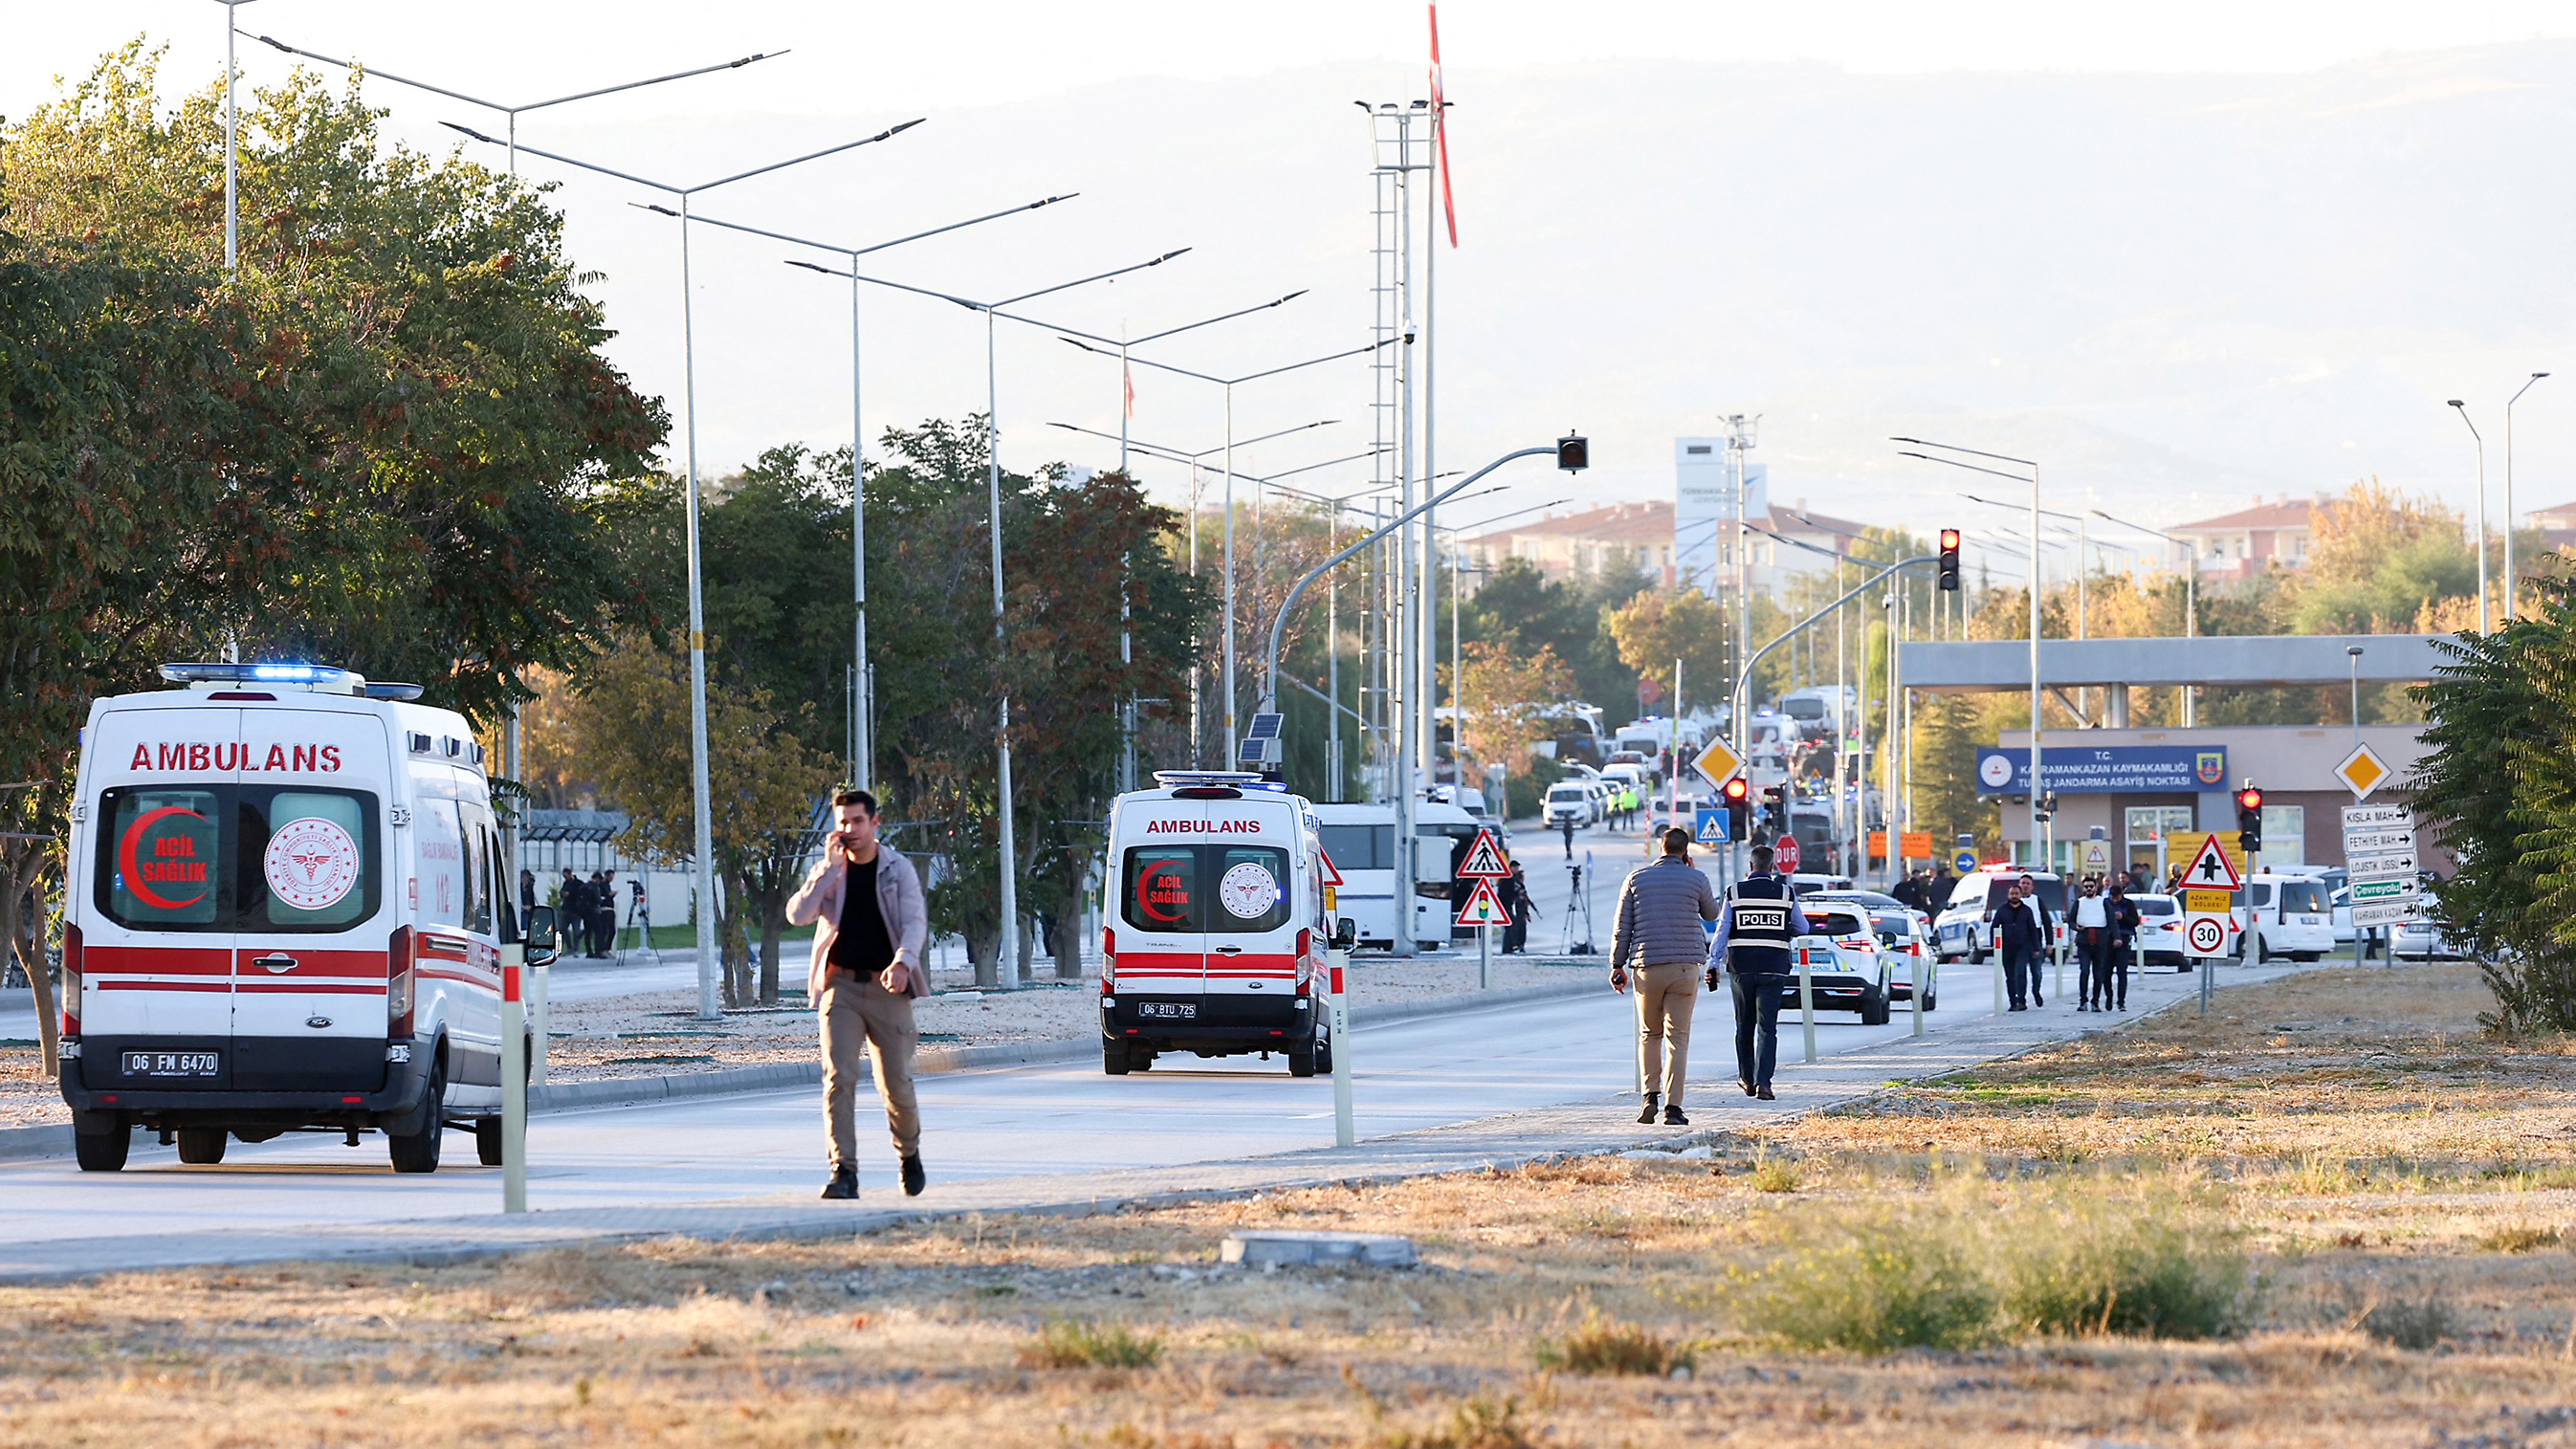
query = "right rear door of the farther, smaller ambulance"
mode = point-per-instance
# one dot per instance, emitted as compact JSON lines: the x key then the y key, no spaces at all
{"x":1253,"y":951}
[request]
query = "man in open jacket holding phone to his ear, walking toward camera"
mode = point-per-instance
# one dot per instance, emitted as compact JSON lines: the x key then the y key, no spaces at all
{"x":869,"y":925}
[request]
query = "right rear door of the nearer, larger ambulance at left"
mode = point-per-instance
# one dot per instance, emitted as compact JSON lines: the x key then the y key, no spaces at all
{"x":310,"y":902}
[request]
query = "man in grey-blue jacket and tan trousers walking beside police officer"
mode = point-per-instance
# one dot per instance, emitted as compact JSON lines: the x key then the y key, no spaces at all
{"x":1660,"y":915}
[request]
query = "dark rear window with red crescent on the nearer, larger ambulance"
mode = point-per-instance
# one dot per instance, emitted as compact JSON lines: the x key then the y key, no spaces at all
{"x":231,"y":858}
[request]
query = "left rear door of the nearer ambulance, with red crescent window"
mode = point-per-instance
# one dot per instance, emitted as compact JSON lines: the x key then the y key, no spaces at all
{"x":156,"y":992}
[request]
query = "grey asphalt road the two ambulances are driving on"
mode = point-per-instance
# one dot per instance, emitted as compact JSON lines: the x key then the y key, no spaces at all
{"x":980,"y":1123}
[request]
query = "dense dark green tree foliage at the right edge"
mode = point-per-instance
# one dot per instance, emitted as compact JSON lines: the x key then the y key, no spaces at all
{"x":2500,"y":791}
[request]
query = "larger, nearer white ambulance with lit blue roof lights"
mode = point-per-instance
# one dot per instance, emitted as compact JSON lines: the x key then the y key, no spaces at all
{"x":285,"y":915}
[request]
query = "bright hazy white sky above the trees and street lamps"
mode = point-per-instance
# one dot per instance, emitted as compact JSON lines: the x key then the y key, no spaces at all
{"x":1227,"y":130}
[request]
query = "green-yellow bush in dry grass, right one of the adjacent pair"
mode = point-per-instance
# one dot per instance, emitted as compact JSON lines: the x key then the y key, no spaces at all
{"x":2119,"y":1268}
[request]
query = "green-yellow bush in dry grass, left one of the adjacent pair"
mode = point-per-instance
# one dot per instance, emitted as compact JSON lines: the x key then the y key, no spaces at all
{"x":1900,"y":1288}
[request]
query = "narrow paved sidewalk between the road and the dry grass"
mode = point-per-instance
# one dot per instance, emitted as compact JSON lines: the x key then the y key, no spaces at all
{"x":1575,"y":1129}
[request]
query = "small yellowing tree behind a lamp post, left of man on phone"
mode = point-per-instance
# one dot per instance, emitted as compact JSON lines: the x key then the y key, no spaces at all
{"x":630,"y":719}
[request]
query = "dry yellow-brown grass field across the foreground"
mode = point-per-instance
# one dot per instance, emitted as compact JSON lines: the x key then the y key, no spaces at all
{"x":2392,"y":1177}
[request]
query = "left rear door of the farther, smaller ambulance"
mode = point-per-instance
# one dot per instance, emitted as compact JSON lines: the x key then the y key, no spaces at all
{"x":1163,"y":948}
